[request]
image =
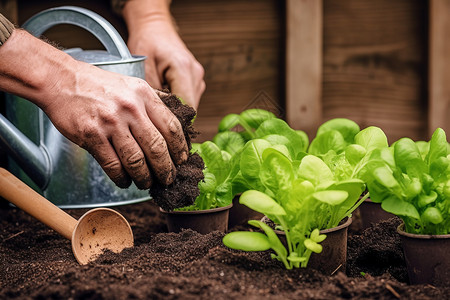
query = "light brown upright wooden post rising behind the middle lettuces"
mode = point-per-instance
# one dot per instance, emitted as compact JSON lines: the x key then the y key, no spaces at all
{"x":304,"y":64}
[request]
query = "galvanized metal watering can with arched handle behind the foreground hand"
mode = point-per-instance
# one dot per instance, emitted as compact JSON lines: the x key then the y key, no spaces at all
{"x":39,"y":155}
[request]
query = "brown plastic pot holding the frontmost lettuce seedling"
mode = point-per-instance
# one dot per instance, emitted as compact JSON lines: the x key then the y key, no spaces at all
{"x":333,"y":257}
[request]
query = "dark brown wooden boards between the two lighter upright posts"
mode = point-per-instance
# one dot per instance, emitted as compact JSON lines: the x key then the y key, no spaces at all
{"x":375,"y":64}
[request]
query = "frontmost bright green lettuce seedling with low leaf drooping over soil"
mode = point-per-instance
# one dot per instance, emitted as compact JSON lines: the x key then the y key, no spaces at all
{"x":301,"y":196}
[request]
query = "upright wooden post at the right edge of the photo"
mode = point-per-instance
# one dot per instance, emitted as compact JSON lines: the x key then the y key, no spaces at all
{"x":439,"y":66}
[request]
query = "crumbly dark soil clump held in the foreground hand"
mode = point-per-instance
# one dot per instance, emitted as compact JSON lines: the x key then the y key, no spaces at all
{"x":184,"y":189}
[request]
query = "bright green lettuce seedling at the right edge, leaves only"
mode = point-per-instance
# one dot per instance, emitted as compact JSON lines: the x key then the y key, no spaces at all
{"x":412,"y":180}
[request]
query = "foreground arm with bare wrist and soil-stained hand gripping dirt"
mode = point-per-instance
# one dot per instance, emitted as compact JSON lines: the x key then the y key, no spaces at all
{"x":120,"y":120}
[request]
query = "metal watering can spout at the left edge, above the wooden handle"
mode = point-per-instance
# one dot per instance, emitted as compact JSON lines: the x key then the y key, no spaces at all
{"x":33,"y":159}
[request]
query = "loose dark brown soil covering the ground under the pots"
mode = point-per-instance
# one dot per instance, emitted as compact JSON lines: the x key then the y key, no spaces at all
{"x":37,"y":263}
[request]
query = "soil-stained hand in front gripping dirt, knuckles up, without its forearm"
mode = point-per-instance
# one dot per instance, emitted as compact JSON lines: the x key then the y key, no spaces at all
{"x":122,"y":122}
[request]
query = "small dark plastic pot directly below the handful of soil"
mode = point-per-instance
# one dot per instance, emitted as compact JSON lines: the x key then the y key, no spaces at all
{"x":202,"y":221}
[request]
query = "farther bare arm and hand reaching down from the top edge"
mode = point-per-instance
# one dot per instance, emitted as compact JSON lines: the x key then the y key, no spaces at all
{"x":153,"y":34}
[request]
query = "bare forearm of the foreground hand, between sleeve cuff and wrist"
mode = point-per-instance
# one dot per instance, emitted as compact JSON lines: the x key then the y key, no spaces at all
{"x":32,"y":68}
